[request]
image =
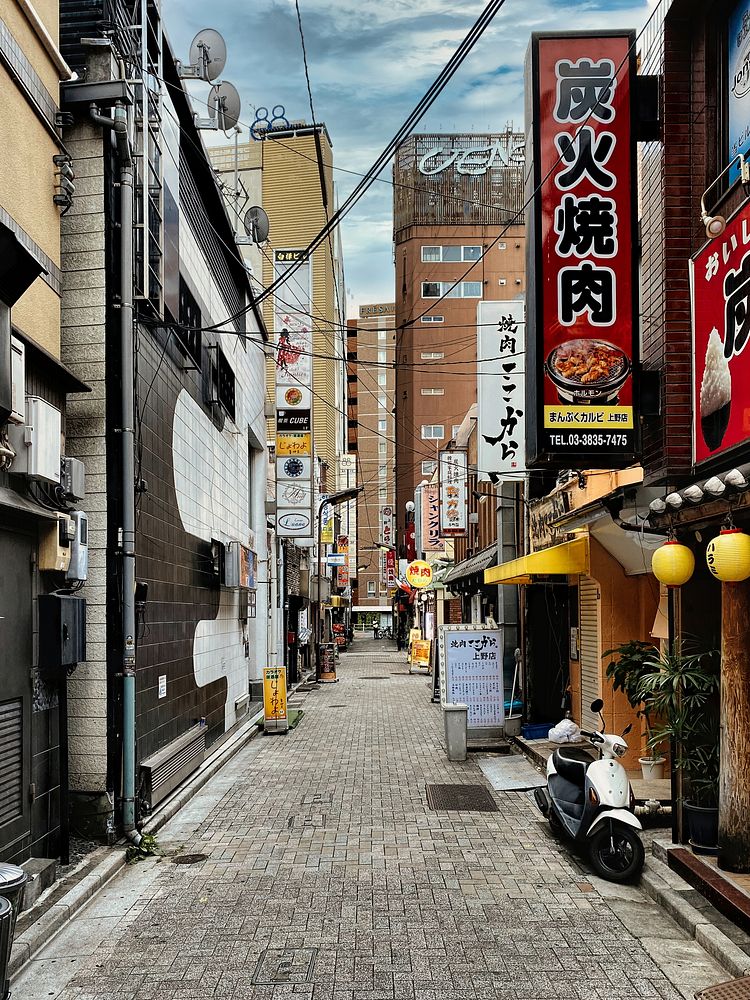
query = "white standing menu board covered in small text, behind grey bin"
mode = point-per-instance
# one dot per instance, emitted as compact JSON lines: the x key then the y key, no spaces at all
{"x":471,"y":672}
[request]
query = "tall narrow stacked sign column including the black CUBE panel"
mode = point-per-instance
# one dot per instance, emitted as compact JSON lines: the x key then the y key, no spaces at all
{"x":293,"y":378}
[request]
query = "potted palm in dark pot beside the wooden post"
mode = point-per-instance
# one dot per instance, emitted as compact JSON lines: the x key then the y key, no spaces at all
{"x":682,"y":691}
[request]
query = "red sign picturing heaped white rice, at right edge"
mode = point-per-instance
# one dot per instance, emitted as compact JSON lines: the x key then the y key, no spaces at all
{"x":720,"y":279}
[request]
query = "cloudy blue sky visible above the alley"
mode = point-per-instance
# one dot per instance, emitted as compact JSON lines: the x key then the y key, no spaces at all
{"x":370,"y":63}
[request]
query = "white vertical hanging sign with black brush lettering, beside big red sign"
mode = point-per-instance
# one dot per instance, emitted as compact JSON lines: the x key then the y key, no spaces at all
{"x":501,"y":389}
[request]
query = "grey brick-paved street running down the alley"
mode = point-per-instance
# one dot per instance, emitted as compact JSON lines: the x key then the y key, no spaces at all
{"x":327,"y":877}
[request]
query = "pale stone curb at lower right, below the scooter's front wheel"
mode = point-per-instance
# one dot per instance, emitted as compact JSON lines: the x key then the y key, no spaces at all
{"x":692,"y":920}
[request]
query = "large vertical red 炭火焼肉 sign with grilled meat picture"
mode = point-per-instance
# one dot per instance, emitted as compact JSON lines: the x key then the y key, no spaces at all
{"x":581,"y":246}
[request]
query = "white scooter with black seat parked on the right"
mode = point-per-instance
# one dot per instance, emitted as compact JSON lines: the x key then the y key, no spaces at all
{"x":592,"y":802}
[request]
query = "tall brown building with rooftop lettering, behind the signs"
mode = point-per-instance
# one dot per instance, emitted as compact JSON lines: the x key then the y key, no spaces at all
{"x":459,"y":238}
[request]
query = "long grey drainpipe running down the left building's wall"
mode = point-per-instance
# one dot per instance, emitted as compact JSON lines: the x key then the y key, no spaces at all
{"x":119,"y":124}
